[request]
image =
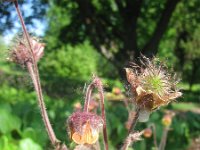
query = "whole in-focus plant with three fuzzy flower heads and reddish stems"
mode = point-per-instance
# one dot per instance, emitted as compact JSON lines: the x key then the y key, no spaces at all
{"x":150,"y":86}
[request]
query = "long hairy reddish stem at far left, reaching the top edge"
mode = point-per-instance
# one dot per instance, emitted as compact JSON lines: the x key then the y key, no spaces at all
{"x":34,"y":73}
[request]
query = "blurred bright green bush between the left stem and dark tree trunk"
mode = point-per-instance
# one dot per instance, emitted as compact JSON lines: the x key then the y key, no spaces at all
{"x":73,"y":65}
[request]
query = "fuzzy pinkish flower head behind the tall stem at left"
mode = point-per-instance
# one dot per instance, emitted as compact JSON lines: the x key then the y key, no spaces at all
{"x":21,"y":53}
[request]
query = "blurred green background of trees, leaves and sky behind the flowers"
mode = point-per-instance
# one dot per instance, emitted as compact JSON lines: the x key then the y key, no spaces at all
{"x":98,"y":37}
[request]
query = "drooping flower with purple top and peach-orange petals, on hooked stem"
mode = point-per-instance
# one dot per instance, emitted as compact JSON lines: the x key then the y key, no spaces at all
{"x":84,"y":127}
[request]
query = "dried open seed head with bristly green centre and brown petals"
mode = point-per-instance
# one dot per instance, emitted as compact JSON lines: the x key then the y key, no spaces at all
{"x":151,"y":85}
